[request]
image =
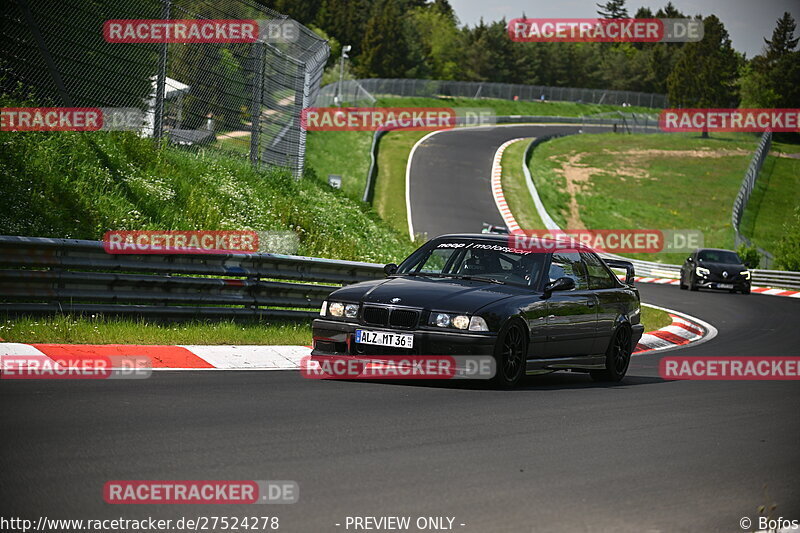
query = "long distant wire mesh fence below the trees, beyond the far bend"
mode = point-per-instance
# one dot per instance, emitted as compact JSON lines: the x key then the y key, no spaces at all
{"x":355,"y":92}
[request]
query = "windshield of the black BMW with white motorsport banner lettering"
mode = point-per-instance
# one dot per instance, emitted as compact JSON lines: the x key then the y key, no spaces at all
{"x":484,"y":261}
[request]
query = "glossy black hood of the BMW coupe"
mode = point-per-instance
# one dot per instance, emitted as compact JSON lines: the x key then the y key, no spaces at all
{"x":440,"y":294}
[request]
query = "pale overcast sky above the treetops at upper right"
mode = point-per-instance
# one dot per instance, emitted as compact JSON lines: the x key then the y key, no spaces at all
{"x":747,"y":21}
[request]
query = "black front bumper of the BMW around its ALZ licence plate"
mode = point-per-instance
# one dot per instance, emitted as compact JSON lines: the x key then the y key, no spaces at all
{"x":333,"y":337}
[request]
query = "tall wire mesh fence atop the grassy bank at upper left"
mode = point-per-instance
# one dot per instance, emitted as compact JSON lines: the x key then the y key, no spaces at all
{"x":244,"y":97}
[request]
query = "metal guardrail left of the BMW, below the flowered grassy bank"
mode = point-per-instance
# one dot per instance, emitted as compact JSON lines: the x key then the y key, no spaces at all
{"x":40,"y":275}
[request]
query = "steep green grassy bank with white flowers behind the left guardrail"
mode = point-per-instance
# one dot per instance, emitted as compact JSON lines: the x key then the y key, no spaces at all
{"x":80,"y":185}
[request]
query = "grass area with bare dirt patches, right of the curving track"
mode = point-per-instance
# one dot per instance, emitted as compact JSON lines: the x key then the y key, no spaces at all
{"x":674,"y":181}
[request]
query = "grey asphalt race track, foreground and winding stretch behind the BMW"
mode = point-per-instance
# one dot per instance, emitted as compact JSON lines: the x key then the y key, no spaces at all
{"x":559,"y":454}
